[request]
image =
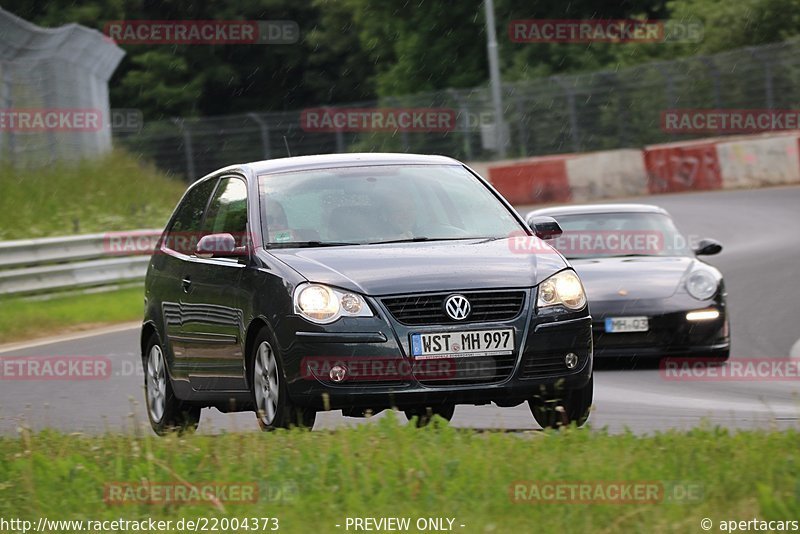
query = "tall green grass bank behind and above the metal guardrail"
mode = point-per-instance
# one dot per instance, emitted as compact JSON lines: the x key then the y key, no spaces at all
{"x":115,"y":192}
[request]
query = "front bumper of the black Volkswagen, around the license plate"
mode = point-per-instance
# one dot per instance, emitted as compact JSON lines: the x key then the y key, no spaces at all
{"x":542,"y":342}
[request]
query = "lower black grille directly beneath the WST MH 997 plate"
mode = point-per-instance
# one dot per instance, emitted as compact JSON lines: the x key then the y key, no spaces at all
{"x":465,"y":371}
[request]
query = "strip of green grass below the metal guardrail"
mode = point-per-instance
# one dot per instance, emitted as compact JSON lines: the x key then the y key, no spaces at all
{"x":21,"y":318}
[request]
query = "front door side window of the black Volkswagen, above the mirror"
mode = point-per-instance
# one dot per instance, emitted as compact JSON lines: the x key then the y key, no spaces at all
{"x":227,"y":212}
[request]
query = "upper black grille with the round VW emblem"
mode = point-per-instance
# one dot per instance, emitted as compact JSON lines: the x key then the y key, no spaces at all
{"x":487,"y":306}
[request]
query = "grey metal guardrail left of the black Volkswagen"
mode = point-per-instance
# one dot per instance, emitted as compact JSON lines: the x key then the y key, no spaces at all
{"x":60,"y":263}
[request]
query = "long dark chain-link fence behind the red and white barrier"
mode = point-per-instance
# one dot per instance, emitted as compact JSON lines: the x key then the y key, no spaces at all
{"x":575,"y":113}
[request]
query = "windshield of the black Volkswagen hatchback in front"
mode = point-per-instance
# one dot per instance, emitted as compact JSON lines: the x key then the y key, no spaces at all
{"x":380,"y":204}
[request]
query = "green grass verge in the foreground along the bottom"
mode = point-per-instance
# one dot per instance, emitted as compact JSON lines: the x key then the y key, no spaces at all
{"x":392,"y":469}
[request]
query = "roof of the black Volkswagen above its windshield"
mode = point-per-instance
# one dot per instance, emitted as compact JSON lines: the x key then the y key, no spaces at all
{"x":325,"y":161}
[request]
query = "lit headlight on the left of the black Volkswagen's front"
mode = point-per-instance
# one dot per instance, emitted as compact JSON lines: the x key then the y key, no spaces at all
{"x":322,"y":304}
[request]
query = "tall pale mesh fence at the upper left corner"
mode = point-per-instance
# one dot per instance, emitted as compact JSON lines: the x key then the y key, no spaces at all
{"x":53,"y":92}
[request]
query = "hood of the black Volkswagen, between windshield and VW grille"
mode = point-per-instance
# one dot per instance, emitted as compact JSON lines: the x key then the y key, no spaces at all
{"x":422,"y":267}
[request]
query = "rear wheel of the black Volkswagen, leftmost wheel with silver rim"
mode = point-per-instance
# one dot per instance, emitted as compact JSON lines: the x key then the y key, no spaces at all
{"x":166,"y":412}
